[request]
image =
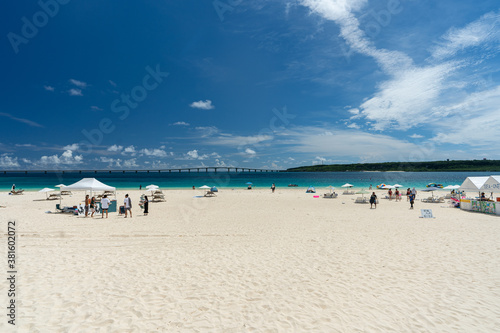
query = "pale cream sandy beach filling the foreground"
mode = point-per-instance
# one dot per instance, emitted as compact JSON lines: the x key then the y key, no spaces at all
{"x":252,"y":261}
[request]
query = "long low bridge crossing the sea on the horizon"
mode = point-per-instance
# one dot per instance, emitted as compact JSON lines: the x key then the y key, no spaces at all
{"x":201,"y":169}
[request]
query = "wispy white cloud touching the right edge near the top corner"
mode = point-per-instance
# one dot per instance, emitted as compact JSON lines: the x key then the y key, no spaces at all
{"x":484,"y":30}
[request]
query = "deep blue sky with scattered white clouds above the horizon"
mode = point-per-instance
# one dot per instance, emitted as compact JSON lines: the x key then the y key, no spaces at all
{"x":265,"y":84}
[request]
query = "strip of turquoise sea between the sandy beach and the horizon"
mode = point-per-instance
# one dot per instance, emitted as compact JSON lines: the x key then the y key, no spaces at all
{"x":175,"y":180}
